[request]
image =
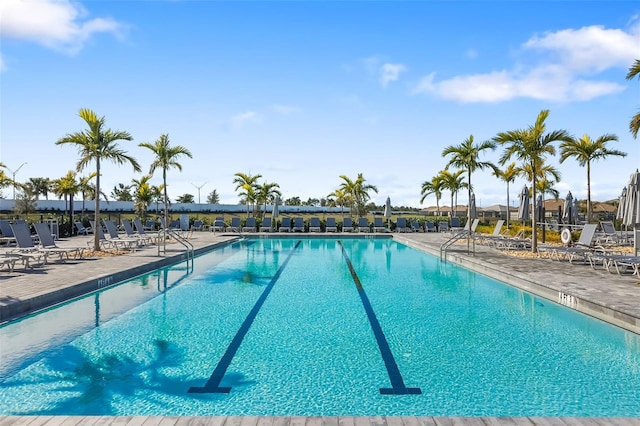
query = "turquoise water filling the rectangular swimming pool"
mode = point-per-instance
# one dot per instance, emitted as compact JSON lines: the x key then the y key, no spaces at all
{"x":317,"y":327}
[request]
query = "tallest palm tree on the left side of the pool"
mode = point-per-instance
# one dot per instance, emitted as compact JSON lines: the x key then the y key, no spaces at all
{"x":98,"y":144}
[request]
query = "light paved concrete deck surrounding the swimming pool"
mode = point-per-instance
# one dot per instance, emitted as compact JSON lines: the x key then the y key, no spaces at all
{"x":611,"y":297}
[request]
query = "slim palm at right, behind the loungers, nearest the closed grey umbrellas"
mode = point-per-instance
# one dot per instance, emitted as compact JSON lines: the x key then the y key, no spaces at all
{"x":585,"y":150}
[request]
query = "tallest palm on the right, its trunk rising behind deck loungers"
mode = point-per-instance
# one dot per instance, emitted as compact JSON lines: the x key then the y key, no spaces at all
{"x":531,"y":146}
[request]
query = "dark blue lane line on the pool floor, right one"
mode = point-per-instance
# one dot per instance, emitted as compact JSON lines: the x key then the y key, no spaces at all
{"x":397,"y":383}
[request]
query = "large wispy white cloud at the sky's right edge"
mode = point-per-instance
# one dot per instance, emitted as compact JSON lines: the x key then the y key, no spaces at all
{"x":569,"y":62}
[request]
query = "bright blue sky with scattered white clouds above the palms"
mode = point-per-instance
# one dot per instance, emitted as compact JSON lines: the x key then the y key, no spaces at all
{"x":302,"y":92}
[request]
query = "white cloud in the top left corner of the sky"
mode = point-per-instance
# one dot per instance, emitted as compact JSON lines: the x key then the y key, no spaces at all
{"x":56,"y":24}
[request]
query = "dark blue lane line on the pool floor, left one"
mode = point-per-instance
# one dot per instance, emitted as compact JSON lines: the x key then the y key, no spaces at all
{"x":213,"y":384}
